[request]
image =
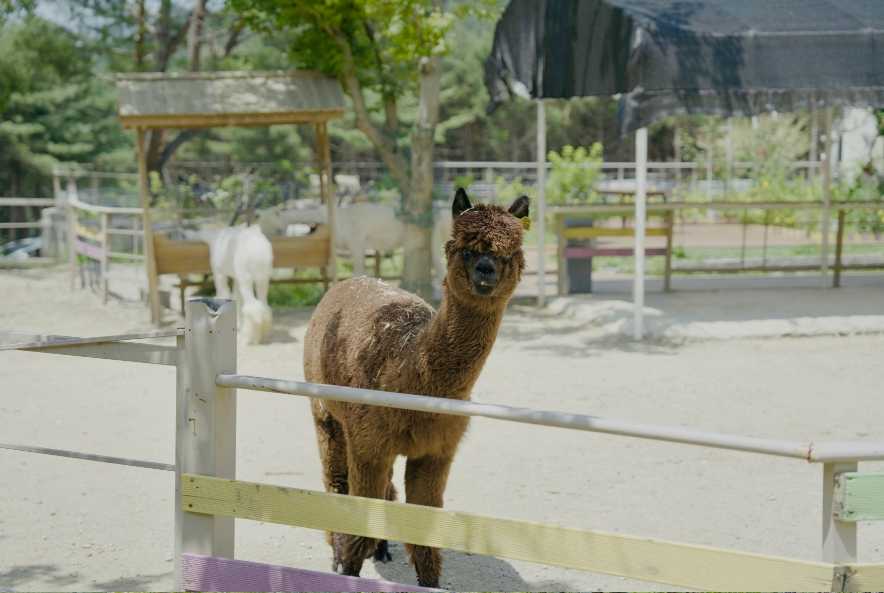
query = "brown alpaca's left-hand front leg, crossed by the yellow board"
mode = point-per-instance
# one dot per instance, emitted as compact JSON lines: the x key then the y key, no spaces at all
{"x":368,"y":475}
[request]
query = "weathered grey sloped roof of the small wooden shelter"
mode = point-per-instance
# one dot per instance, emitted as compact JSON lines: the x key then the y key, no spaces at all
{"x":194,"y":100}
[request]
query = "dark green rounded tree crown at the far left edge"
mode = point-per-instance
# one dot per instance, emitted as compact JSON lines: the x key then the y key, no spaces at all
{"x":52,"y":109}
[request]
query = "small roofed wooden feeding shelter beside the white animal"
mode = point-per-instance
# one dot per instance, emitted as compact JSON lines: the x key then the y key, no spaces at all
{"x":150,"y":101}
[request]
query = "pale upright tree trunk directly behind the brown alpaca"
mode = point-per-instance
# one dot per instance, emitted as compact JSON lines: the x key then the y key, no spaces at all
{"x":416,"y":275}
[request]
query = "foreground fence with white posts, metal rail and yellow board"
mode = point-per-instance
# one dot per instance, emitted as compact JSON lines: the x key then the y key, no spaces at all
{"x":208,"y":496}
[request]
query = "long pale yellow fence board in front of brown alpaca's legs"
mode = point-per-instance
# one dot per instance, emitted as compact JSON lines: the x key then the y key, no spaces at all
{"x":640,"y":558}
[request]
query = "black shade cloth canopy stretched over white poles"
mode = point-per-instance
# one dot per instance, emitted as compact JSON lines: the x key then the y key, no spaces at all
{"x":726,"y":57}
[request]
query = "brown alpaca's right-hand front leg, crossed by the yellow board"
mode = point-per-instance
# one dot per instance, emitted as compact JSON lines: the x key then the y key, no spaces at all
{"x":425,"y":479}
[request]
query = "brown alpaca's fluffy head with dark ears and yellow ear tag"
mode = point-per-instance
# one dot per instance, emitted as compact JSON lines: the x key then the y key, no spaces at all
{"x":485,"y":259}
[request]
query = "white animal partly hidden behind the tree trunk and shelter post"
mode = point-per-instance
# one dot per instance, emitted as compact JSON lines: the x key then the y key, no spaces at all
{"x":364,"y":225}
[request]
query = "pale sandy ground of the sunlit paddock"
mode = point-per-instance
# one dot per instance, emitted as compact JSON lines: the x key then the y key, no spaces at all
{"x":75,"y":525}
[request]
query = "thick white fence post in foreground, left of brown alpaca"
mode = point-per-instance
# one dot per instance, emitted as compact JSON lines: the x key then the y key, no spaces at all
{"x":205,"y":424}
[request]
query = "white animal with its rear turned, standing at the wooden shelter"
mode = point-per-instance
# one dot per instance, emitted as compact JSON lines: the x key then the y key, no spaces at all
{"x":244,"y":254}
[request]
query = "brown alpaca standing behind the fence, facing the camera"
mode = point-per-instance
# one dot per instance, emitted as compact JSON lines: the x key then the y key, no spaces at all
{"x":367,"y":334}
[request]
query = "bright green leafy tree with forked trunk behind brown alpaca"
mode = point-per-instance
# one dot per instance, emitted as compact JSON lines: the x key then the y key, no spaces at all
{"x":386,"y":53}
